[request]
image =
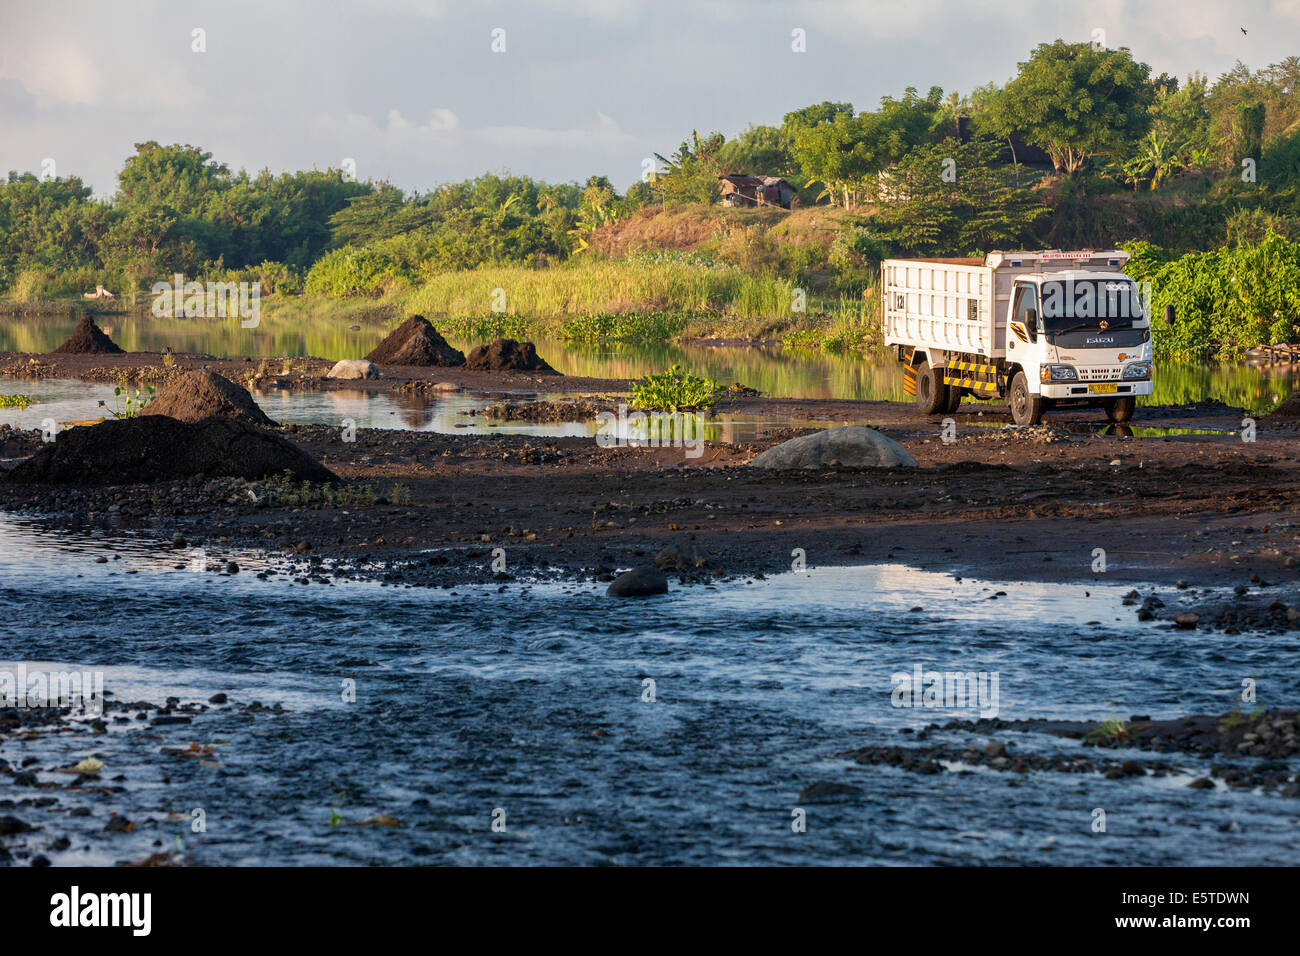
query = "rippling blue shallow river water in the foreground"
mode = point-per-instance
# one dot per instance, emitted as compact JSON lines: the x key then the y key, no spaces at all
{"x":487,"y":699}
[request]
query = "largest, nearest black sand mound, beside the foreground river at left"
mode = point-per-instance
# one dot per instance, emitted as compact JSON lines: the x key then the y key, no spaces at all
{"x":161,"y":449}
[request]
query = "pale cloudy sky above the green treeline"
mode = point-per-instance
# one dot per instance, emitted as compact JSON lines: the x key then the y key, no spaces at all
{"x":418,"y":93}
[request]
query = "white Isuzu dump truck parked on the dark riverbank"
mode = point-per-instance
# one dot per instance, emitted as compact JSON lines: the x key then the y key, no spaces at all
{"x":1035,"y":330}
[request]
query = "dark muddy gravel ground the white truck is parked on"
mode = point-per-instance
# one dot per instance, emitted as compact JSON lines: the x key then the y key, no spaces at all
{"x":1207,"y":509}
